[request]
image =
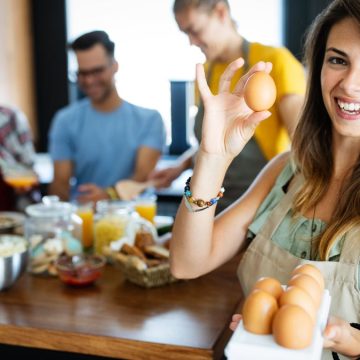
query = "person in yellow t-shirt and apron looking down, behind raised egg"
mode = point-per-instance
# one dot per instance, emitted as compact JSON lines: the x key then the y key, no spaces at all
{"x":209,"y":26}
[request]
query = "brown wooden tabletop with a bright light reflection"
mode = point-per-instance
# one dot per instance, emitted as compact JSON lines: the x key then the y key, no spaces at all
{"x":117,"y":319}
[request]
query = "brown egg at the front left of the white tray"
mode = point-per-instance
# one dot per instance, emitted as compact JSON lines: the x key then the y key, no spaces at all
{"x":258,"y":311}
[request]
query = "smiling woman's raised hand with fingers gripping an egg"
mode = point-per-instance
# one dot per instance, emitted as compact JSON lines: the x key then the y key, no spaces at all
{"x":228,"y":122}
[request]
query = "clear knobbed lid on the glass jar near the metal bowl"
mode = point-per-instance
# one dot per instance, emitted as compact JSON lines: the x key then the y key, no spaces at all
{"x":51,"y":207}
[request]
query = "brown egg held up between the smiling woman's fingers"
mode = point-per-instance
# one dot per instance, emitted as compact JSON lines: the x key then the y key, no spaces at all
{"x":260,"y":91}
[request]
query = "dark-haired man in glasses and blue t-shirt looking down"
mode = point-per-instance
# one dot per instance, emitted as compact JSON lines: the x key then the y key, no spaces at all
{"x":102,"y":138}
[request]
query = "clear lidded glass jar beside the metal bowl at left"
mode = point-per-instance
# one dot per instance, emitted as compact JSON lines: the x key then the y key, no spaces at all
{"x":52,"y":229}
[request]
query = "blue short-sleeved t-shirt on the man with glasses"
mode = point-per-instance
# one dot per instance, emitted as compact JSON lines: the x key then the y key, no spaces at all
{"x":103,"y":145}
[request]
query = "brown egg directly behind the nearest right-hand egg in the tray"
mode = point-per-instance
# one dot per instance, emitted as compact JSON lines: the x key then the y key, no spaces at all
{"x":294,"y":295}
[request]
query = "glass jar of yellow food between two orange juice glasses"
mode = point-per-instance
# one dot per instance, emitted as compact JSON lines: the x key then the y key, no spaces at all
{"x":111,"y":223}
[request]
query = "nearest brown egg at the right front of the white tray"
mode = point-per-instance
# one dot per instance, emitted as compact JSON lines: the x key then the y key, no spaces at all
{"x":292,"y":327}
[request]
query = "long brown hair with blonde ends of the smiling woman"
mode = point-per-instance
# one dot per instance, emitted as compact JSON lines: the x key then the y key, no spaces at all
{"x":313,"y":143}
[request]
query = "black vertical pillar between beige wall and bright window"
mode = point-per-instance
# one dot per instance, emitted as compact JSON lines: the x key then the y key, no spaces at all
{"x":48,"y":21}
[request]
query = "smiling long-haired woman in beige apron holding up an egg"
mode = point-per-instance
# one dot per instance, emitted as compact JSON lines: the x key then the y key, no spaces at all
{"x":304,"y":207}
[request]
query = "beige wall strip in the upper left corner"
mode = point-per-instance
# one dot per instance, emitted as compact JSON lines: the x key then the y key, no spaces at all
{"x":16,"y":60}
